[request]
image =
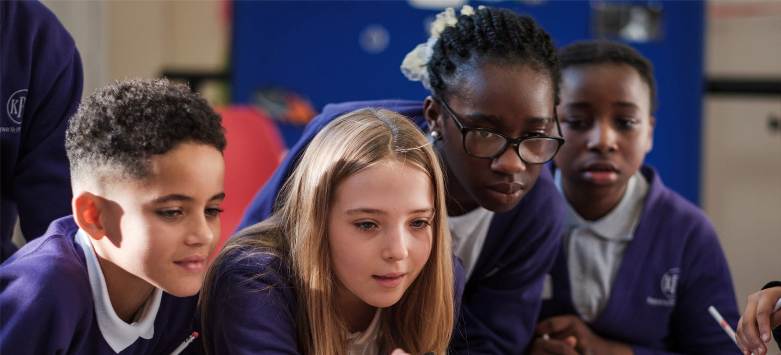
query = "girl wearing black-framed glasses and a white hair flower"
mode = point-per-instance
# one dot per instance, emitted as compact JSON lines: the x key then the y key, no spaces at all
{"x":493,"y":78}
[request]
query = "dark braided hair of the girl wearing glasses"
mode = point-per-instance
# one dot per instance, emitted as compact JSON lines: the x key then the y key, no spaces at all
{"x":492,"y":34}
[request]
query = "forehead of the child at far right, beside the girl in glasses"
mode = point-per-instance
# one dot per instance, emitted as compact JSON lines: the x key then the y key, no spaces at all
{"x":610,"y":82}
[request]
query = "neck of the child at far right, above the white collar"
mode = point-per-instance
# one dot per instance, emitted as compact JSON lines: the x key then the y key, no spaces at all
{"x":593,"y":203}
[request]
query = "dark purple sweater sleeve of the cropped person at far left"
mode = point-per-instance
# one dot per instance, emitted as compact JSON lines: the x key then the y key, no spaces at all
{"x":41,"y":179}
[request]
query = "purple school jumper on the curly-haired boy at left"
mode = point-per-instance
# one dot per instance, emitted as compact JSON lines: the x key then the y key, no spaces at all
{"x":47,"y":306}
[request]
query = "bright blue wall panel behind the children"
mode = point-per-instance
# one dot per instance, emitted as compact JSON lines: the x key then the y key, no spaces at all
{"x":314,"y":49}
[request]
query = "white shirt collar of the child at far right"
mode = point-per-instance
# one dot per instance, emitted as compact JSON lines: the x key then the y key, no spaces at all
{"x":619,"y":224}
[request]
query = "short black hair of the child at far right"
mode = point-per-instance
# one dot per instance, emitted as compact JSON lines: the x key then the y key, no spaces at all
{"x":602,"y":52}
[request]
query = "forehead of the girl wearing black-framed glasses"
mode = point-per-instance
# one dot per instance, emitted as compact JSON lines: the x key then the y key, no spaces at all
{"x":508,"y":91}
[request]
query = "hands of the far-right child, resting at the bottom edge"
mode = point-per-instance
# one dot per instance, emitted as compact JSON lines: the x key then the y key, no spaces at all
{"x":586,"y":342}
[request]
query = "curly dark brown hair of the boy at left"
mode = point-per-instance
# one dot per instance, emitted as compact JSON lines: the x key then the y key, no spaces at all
{"x":122,"y":125}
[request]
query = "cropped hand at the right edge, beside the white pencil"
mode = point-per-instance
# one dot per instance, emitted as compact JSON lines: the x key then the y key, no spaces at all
{"x":758,"y":320}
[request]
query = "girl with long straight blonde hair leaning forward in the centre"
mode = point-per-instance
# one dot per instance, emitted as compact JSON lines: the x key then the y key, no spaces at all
{"x":357,"y":258}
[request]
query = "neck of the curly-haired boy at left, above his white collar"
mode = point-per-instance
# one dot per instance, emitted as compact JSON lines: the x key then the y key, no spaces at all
{"x":127,"y":292}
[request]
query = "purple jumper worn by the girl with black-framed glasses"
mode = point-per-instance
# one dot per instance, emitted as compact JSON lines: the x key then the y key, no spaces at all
{"x":501,"y":300}
